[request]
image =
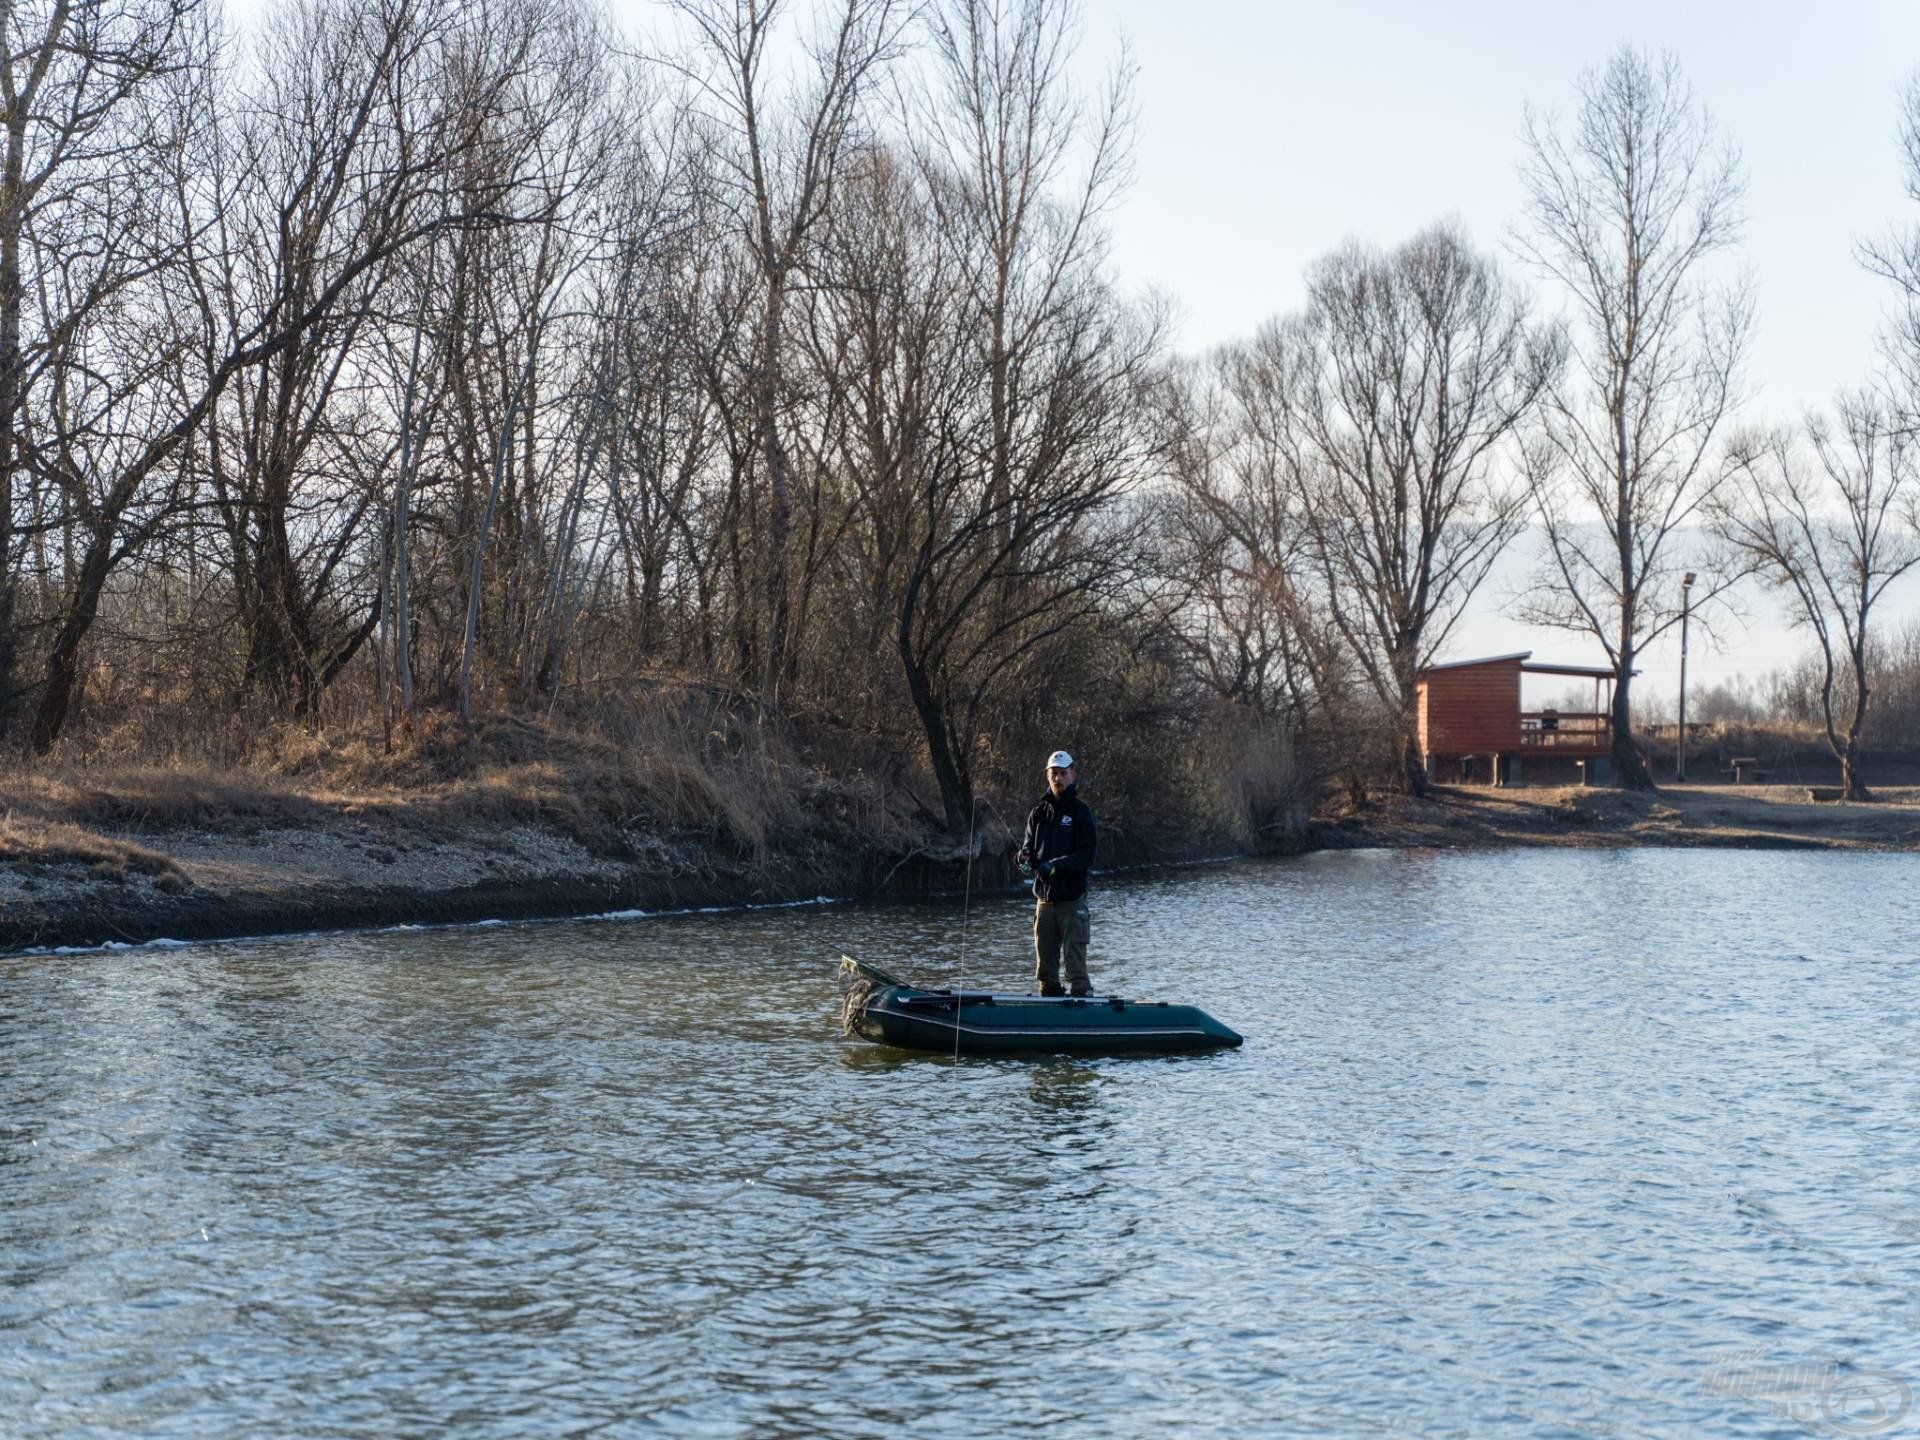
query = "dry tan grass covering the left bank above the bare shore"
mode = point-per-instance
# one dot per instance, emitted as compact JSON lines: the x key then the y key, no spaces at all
{"x":669,"y":759}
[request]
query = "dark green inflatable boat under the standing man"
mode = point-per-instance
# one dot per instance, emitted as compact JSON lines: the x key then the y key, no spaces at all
{"x":1028,"y":1024}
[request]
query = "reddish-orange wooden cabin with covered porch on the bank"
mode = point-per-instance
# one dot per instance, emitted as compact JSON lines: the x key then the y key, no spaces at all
{"x":1472,"y":725}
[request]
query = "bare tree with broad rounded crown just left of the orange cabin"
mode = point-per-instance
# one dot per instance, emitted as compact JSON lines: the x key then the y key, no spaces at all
{"x":1420,"y":368}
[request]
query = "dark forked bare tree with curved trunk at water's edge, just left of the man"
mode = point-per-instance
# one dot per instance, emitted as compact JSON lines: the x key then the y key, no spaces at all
{"x":974,"y":583}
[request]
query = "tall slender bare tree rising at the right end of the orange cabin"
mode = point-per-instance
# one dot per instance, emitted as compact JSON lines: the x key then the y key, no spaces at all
{"x":1627,"y":210}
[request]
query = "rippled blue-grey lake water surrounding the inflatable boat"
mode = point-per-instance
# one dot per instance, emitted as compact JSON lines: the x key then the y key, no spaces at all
{"x":1522,"y":1143}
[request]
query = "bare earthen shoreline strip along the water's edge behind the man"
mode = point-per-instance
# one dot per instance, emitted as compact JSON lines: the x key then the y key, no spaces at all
{"x":362,"y":875}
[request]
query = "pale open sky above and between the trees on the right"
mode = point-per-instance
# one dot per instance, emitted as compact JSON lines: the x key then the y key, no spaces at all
{"x":1270,"y":133}
